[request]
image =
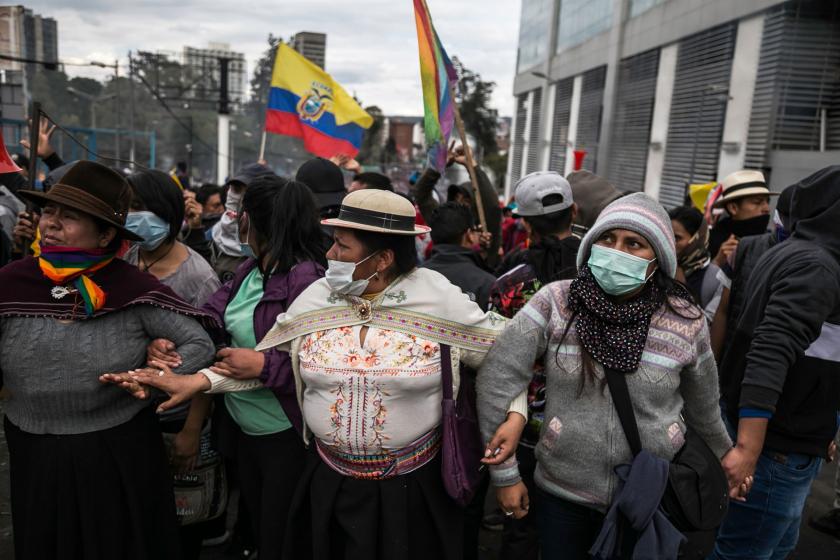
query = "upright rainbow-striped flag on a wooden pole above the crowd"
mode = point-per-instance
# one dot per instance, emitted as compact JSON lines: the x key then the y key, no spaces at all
{"x":437,"y":75}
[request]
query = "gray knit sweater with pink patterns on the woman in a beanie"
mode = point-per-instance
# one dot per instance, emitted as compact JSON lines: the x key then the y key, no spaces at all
{"x":582,"y":440}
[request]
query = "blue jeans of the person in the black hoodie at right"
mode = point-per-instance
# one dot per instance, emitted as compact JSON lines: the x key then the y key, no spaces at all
{"x":766,"y":526}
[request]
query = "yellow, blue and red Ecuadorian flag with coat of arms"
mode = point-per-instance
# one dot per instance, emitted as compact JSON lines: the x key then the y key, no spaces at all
{"x":304,"y":101}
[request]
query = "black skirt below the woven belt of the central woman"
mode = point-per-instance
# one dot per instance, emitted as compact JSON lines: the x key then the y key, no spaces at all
{"x":410,"y":516}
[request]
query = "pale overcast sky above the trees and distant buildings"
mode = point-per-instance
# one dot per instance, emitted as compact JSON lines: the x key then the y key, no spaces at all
{"x":371,"y":44}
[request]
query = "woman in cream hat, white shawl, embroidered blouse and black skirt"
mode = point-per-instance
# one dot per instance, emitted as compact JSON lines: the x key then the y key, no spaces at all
{"x":368,"y":345}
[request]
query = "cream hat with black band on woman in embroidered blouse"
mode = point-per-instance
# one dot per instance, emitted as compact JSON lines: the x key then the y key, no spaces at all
{"x":380,"y":211}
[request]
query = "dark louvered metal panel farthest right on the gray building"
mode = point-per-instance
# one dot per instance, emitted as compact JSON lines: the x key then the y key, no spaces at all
{"x":798,"y":76}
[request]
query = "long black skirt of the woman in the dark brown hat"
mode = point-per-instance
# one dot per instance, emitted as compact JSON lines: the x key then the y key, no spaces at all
{"x":100,"y":495}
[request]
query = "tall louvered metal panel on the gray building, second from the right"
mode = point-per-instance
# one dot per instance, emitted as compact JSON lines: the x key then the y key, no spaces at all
{"x":698,"y":108}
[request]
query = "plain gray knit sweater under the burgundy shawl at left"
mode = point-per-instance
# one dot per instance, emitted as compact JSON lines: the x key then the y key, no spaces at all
{"x":52,"y":369}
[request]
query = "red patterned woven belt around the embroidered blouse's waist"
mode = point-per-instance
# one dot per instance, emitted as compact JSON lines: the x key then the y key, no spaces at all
{"x":386,"y":465}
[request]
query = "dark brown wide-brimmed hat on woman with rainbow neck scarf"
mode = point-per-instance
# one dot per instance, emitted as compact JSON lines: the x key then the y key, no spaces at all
{"x":94,"y":189}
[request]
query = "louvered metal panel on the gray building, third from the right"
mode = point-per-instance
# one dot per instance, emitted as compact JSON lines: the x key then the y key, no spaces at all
{"x":634,"y":112}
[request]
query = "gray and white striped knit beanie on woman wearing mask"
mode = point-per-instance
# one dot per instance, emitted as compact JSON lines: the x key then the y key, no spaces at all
{"x":640,"y":213}
